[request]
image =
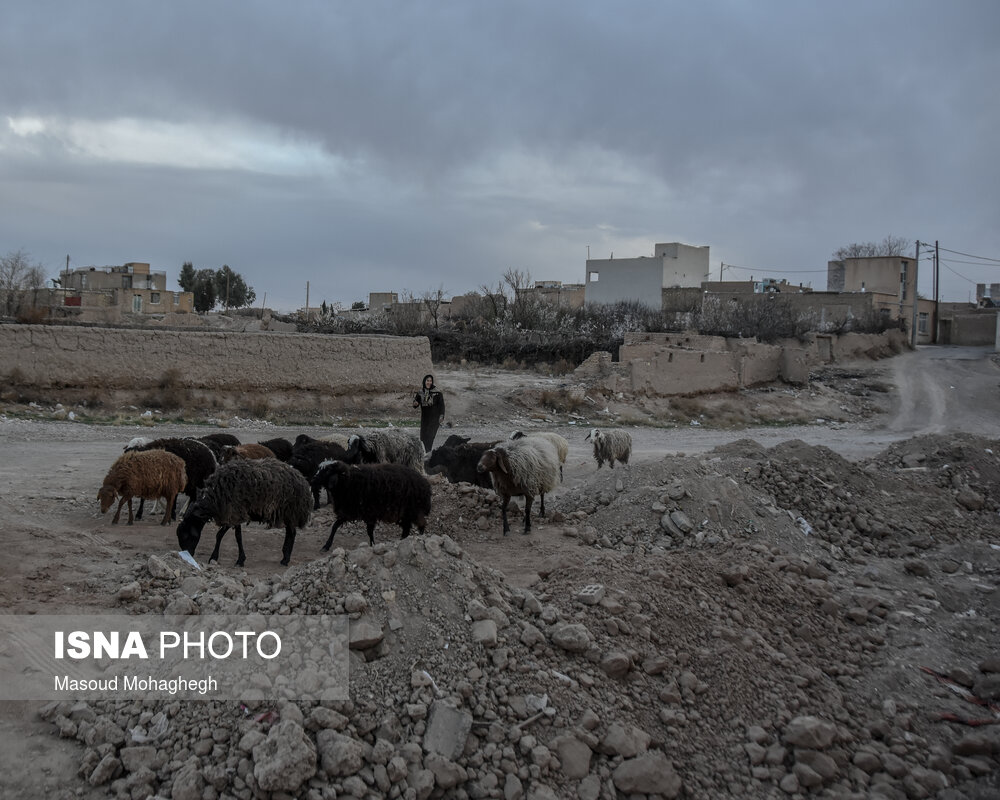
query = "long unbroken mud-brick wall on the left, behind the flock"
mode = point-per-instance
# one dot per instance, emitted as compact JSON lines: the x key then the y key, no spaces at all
{"x":56,"y":356}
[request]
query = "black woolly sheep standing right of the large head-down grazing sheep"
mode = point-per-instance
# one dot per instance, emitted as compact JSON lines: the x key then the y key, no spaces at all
{"x":375,"y":493}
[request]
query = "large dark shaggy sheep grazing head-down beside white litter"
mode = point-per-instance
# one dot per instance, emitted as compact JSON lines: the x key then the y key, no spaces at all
{"x":249,"y":490}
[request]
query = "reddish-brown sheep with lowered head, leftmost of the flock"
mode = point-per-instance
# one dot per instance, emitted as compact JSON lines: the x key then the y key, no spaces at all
{"x":145,"y":474}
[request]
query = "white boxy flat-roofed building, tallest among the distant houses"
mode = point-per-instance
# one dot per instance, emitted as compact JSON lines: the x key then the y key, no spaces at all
{"x":643,"y":279}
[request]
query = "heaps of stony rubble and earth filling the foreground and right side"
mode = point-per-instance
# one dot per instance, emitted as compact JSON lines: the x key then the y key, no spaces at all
{"x":690,"y":638}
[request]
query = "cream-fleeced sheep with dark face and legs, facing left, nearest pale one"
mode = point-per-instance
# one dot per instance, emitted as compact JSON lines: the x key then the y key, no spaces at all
{"x":522,"y":468}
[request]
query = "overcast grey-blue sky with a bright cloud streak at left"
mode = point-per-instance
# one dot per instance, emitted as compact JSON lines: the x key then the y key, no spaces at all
{"x":406,"y":146}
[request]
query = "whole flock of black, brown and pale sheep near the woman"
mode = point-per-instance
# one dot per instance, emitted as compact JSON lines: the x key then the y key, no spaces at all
{"x":374,"y":476}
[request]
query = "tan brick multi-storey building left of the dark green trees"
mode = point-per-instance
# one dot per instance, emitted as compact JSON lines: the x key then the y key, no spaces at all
{"x":132,"y":287}
